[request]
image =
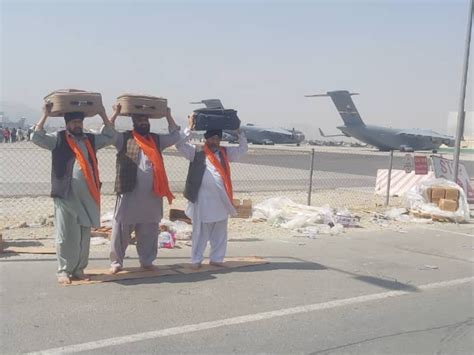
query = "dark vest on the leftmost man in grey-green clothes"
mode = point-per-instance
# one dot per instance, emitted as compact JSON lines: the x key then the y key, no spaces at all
{"x":62,"y":165}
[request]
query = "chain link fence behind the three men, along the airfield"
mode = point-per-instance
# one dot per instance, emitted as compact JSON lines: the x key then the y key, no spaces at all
{"x":341,"y":177}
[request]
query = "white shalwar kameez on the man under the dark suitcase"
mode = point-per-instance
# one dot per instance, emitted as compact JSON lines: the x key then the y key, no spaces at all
{"x":210,"y":212}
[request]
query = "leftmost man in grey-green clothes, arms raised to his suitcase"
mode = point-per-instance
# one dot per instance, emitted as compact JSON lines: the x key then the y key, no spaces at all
{"x":75,"y":187}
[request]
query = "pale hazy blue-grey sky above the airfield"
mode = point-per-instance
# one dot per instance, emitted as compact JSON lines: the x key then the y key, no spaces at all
{"x":259,"y":57}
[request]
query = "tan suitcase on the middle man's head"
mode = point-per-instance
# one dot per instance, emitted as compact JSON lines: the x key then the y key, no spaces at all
{"x":152,"y":106}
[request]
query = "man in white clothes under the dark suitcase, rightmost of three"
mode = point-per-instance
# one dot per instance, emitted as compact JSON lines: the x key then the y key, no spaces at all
{"x":209,"y":192}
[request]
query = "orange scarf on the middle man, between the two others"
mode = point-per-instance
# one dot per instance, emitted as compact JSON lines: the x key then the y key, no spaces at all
{"x":160,"y":180}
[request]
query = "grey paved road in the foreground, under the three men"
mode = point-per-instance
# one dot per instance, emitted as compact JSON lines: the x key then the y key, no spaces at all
{"x":360,"y":293}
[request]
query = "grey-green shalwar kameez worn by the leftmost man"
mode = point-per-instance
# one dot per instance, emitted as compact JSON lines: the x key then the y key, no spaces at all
{"x":78,"y":212}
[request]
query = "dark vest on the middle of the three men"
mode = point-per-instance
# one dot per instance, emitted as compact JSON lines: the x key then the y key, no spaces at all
{"x":127,"y":162}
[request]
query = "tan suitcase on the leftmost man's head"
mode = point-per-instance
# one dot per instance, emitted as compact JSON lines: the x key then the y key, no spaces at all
{"x":72,"y":100}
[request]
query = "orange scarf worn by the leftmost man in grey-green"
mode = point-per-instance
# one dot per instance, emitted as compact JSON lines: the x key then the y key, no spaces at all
{"x":92,"y":176}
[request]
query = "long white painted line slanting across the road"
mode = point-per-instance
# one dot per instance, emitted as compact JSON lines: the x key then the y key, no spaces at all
{"x":244,"y":319}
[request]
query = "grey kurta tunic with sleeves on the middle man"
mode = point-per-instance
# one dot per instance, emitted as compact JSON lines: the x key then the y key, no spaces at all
{"x":142,"y":205}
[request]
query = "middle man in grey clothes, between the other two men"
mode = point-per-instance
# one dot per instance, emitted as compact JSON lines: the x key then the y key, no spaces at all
{"x":141,"y":183}
